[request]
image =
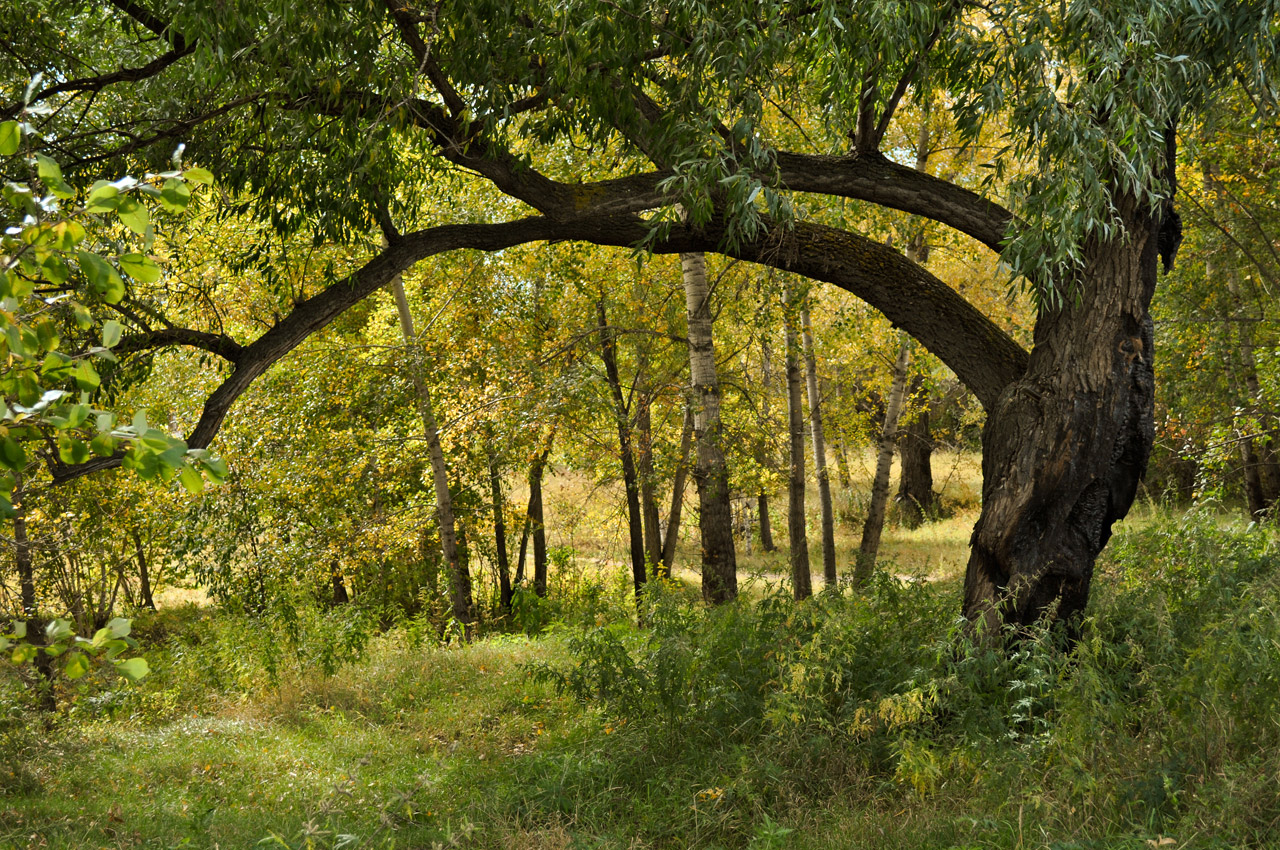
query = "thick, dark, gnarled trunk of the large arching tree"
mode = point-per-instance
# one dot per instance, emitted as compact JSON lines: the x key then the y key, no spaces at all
{"x":1066,"y":446}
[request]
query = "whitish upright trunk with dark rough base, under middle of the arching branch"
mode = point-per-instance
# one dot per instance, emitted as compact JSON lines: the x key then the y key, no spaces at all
{"x":711,"y":474}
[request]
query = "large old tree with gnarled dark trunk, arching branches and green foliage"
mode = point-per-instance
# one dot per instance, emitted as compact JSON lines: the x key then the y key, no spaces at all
{"x":708,"y":129}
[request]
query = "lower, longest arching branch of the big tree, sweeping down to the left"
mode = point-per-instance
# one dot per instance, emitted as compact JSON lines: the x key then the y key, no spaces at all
{"x":977,"y":350}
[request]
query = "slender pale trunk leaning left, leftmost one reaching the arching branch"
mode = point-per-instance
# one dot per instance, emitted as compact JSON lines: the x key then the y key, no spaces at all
{"x":460,"y":578}
